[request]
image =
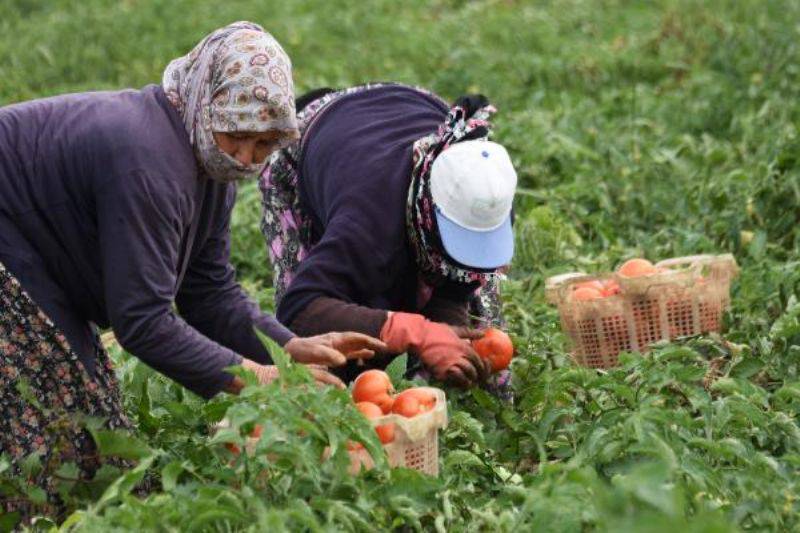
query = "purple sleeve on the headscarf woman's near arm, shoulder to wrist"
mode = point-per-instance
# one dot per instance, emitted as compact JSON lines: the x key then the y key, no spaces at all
{"x":139,"y":234}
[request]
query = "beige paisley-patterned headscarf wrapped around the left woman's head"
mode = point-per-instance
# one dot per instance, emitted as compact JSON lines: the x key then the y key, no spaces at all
{"x":238,"y":79}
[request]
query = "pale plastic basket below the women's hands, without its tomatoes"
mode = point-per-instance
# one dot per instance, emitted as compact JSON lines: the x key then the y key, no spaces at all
{"x":416,"y":440}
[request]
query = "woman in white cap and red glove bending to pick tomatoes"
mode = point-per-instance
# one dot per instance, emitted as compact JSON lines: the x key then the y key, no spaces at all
{"x":391,"y":216}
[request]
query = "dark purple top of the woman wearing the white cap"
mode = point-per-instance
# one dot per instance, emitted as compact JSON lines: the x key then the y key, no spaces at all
{"x":355,"y":169}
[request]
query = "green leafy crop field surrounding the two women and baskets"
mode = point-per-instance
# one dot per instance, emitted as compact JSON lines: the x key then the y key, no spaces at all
{"x":650,"y":129}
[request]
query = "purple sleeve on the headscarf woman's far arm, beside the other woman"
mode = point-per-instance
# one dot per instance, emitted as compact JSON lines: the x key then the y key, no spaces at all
{"x":213,"y":302}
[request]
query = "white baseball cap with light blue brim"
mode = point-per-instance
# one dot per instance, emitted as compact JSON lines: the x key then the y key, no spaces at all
{"x":473,"y":185}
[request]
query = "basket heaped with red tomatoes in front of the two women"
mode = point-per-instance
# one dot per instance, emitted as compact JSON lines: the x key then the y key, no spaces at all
{"x":407,"y":423}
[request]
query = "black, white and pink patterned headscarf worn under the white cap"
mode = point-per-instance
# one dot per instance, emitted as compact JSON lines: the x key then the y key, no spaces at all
{"x":468,"y":119}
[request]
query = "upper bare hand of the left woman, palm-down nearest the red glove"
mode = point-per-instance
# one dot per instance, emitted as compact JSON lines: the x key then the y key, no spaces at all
{"x":333,"y":349}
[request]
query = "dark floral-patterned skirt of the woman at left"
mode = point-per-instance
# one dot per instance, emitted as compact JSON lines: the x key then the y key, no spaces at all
{"x":46,"y":394}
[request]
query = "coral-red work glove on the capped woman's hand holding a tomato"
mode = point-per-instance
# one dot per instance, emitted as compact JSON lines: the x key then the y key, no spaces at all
{"x":447,"y":356}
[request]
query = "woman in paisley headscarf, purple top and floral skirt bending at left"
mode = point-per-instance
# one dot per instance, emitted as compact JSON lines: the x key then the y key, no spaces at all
{"x":115,"y":212}
